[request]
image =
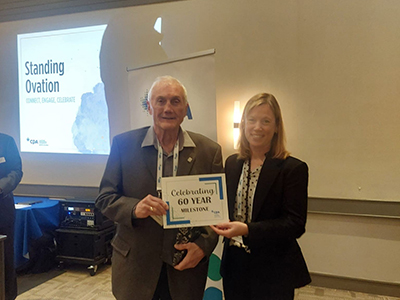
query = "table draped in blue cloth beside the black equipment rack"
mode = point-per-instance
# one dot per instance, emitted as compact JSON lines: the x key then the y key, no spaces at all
{"x":33,"y":217}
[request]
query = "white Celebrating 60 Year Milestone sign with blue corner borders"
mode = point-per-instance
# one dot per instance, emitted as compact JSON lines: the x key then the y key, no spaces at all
{"x":198,"y":200}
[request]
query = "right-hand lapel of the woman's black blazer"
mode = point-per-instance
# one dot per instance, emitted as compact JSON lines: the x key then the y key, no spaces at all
{"x":269,"y":171}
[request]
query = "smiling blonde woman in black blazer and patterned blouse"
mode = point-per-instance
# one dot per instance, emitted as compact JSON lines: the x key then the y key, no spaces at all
{"x":267,"y":198}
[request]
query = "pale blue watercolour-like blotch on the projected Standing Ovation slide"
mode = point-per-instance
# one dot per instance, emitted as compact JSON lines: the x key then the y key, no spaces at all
{"x":90,"y":130}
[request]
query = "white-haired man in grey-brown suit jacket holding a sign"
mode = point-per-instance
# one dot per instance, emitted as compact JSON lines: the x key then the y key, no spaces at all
{"x":146,"y":261}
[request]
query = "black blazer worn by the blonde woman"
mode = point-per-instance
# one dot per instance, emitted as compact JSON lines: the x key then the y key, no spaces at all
{"x":278,"y":219}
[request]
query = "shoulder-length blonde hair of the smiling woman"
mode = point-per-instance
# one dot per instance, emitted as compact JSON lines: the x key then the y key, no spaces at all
{"x":278,"y":143}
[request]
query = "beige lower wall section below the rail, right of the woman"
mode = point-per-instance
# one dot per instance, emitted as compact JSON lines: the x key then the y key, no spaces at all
{"x":355,"y":247}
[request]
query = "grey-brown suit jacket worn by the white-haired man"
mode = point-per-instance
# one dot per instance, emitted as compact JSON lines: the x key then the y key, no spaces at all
{"x":141,"y":245}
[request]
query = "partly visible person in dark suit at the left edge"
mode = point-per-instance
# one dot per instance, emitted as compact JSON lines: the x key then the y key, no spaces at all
{"x":10,"y":176}
